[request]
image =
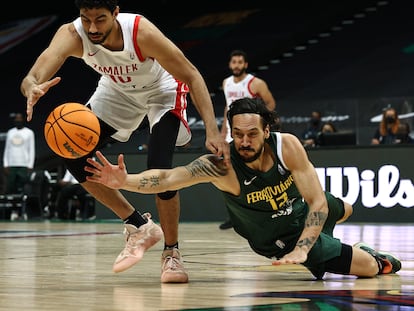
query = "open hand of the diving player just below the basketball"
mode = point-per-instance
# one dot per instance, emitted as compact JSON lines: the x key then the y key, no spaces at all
{"x":112,"y":176}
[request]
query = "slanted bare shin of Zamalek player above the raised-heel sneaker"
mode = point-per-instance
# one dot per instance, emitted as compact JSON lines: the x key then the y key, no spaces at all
{"x":111,"y":198}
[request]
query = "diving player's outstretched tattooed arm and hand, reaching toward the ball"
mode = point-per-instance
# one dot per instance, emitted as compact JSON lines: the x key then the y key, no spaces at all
{"x":207,"y":168}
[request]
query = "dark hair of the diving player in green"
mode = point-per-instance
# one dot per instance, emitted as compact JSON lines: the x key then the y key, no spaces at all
{"x":252,"y":105}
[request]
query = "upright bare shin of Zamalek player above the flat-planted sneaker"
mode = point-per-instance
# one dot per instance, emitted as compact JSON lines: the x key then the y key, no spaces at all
{"x":169,"y":213}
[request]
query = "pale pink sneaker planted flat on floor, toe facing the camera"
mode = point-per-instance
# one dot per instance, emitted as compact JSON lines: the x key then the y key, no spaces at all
{"x":172,"y":268}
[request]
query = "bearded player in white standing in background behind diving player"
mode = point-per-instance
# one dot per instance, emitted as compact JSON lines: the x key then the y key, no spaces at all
{"x":239,"y":85}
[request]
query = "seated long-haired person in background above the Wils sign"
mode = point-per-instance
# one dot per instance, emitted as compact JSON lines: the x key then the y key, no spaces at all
{"x":386,"y":133}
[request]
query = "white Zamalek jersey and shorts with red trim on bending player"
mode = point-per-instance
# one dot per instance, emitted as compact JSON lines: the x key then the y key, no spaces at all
{"x":130,"y":86}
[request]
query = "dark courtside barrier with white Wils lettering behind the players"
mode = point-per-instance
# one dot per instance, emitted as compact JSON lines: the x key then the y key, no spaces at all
{"x":377,"y":180}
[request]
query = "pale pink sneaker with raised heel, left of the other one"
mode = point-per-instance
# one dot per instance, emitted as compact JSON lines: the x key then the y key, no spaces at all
{"x":138,"y":240}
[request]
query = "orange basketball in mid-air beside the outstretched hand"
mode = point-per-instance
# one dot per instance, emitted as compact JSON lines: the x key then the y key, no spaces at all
{"x":72,"y":130}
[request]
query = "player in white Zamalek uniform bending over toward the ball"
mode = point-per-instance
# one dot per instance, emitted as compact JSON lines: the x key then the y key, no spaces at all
{"x":142,"y":74}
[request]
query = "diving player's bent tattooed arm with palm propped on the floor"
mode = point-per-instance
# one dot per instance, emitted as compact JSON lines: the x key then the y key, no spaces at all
{"x":307,"y":182}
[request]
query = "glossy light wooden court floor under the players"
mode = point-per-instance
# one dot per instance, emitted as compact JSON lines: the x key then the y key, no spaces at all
{"x":67,"y":266}
